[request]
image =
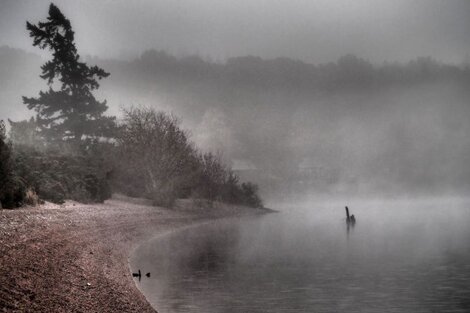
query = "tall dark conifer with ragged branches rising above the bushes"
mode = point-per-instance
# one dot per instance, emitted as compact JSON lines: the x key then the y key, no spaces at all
{"x":71,"y":113}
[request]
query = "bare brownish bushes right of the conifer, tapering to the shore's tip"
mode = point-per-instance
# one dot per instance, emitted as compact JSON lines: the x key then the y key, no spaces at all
{"x":156,"y":160}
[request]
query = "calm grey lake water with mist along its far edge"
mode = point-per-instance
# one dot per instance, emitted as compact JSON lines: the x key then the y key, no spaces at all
{"x":401,"y":256}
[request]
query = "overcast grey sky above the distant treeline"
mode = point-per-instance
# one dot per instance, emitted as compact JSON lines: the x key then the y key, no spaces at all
{"x":311,"y":30}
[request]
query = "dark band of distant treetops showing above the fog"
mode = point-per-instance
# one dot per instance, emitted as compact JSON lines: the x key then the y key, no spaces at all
{"x":348,"y":71}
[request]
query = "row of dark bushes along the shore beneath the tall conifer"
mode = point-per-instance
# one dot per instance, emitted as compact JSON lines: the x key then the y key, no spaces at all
{"x":148,"y":156}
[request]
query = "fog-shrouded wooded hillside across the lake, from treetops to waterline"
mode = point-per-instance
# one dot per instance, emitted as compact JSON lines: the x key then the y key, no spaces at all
{"x":348,"y":124}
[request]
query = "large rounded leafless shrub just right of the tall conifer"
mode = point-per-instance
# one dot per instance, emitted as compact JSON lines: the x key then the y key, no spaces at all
{"x":156,"y":159}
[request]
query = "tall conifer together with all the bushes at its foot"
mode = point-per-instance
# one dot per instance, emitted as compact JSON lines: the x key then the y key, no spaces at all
{"x":62,"y":155}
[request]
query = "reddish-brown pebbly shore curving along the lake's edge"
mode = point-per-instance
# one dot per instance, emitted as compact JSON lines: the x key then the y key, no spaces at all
{"x":74,"y":257}
